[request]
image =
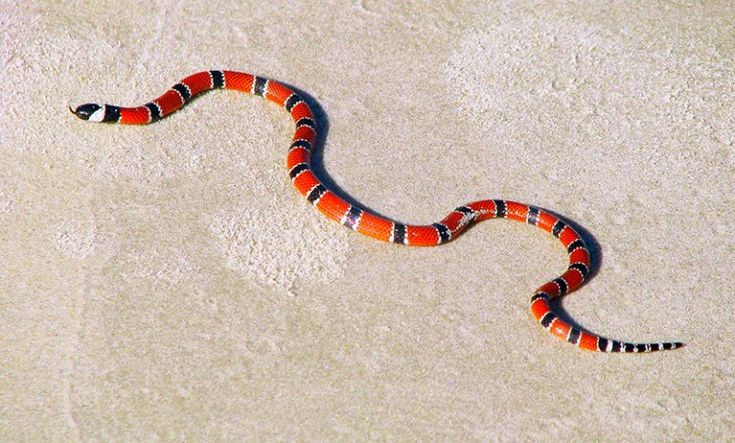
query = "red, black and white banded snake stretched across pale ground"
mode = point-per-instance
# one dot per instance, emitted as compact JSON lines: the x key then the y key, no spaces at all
{"x":366,"y":222}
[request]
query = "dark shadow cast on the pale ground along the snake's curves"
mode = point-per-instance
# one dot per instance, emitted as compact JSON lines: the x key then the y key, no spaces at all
{"x":322,"y":122}
